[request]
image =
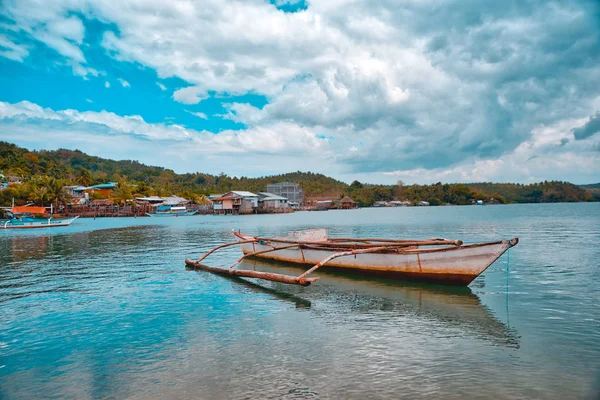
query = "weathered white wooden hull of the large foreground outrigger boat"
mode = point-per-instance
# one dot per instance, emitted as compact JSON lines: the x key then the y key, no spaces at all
{"x":458,"y":265}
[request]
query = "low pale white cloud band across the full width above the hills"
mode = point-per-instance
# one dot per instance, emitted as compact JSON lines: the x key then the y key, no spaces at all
{"x":551,"y":153}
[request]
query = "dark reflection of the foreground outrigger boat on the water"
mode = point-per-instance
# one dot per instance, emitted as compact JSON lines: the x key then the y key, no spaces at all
{"x":341,"y":297}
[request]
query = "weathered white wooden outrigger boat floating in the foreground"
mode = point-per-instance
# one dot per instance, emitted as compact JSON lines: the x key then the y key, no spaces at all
{"x":448,"y":262}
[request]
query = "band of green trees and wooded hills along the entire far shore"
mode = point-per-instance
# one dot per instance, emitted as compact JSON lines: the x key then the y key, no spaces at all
{"x":46,"y":172}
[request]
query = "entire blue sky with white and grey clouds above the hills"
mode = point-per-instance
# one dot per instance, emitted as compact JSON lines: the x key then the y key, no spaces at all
{"x":380,"y":90}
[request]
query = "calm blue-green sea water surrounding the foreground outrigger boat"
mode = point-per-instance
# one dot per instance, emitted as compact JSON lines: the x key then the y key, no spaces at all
{"x":106,"y":309}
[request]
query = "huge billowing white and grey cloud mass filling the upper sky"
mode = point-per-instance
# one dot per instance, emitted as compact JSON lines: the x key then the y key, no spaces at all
{"x":413,"y":86}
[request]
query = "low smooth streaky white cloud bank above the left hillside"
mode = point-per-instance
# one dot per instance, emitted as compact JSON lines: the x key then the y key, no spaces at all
{"x":168,"y":145}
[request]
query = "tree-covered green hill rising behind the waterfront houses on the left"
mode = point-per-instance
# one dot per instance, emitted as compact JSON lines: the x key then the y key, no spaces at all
{"x":75,"y":167}
